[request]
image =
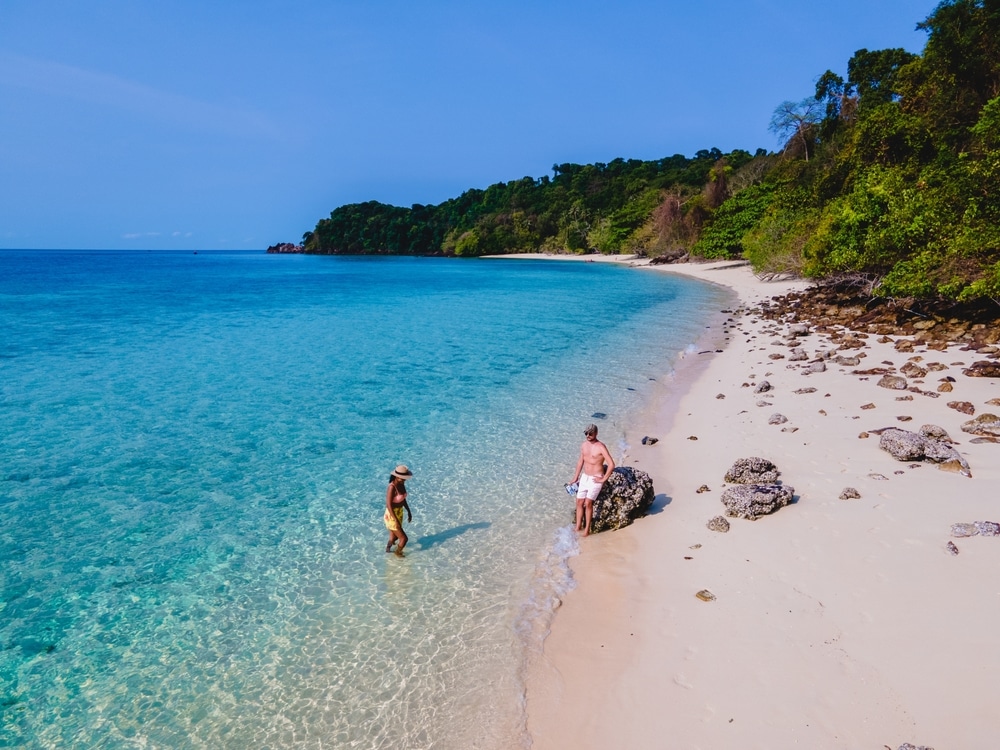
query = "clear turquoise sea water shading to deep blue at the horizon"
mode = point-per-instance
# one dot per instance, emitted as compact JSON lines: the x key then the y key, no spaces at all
{"x":194,"y":451}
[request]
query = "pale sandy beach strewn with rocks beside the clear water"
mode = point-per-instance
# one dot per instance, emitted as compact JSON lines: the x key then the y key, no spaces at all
{"x":837,"y":623}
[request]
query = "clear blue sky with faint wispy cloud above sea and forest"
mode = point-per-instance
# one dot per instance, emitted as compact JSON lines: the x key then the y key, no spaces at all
{"x":235,"y":125}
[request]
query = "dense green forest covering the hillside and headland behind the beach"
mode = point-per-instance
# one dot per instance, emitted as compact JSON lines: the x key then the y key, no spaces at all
{"x":889,"y":177}
